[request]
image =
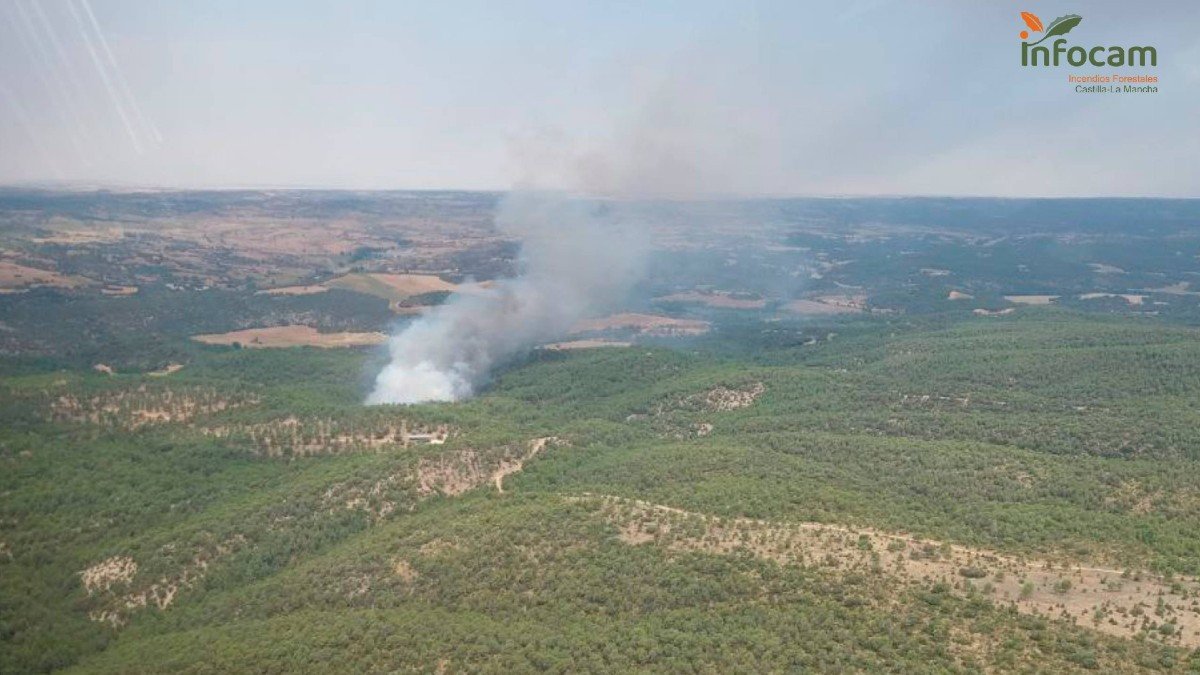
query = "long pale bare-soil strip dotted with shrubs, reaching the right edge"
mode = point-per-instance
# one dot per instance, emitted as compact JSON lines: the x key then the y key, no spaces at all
{"x":1118,"y":602}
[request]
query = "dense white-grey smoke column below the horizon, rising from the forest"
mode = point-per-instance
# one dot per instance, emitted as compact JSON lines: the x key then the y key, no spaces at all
{"x":578,"y":258}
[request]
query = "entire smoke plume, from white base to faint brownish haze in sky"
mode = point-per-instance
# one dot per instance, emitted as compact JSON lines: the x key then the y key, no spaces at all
{"x":681,"y":140}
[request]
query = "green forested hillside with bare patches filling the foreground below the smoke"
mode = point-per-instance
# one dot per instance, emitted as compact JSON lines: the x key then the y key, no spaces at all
{"x":993,"y":493}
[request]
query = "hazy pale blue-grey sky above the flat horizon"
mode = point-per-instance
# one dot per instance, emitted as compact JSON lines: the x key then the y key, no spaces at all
{"x":868,"y":97}
